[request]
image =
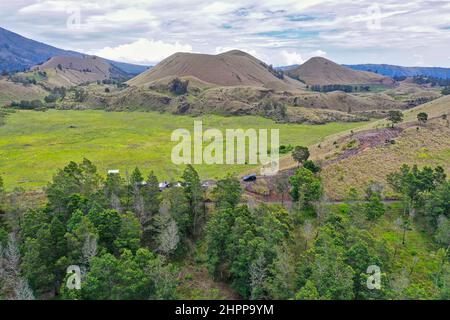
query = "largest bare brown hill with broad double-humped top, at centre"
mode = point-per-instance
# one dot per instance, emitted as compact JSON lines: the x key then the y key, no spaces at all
{"x":233,"y":68}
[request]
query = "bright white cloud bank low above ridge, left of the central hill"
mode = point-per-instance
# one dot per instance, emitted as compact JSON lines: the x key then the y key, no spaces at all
{"x":143,"y":51}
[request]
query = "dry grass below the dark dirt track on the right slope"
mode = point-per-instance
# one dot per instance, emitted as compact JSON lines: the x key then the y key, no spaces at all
{"x":430,"y":146}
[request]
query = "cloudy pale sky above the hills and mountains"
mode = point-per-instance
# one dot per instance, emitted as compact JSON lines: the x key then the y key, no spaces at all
{"x":280,"y":32}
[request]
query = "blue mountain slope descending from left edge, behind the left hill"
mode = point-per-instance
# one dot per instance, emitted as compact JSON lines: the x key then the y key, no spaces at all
{"x":18,"y":53}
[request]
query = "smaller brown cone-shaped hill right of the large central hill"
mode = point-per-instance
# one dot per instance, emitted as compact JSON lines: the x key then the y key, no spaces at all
{"x":321,"y":71}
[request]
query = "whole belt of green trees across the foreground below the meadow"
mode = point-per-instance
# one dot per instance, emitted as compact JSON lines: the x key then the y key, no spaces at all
{"x":124,"y":234}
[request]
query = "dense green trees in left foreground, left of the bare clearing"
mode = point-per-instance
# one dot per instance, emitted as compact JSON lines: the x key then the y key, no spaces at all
{"x":120,"y":232}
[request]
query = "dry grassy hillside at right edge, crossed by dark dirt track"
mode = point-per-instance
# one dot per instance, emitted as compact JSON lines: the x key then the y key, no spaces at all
{"x":352,"y":159}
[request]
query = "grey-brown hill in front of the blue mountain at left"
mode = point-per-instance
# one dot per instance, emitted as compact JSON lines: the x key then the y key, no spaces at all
{"x":72,"y":71}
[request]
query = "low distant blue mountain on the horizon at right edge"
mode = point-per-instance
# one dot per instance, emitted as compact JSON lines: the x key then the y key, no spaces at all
{"x":398,"y":71}
